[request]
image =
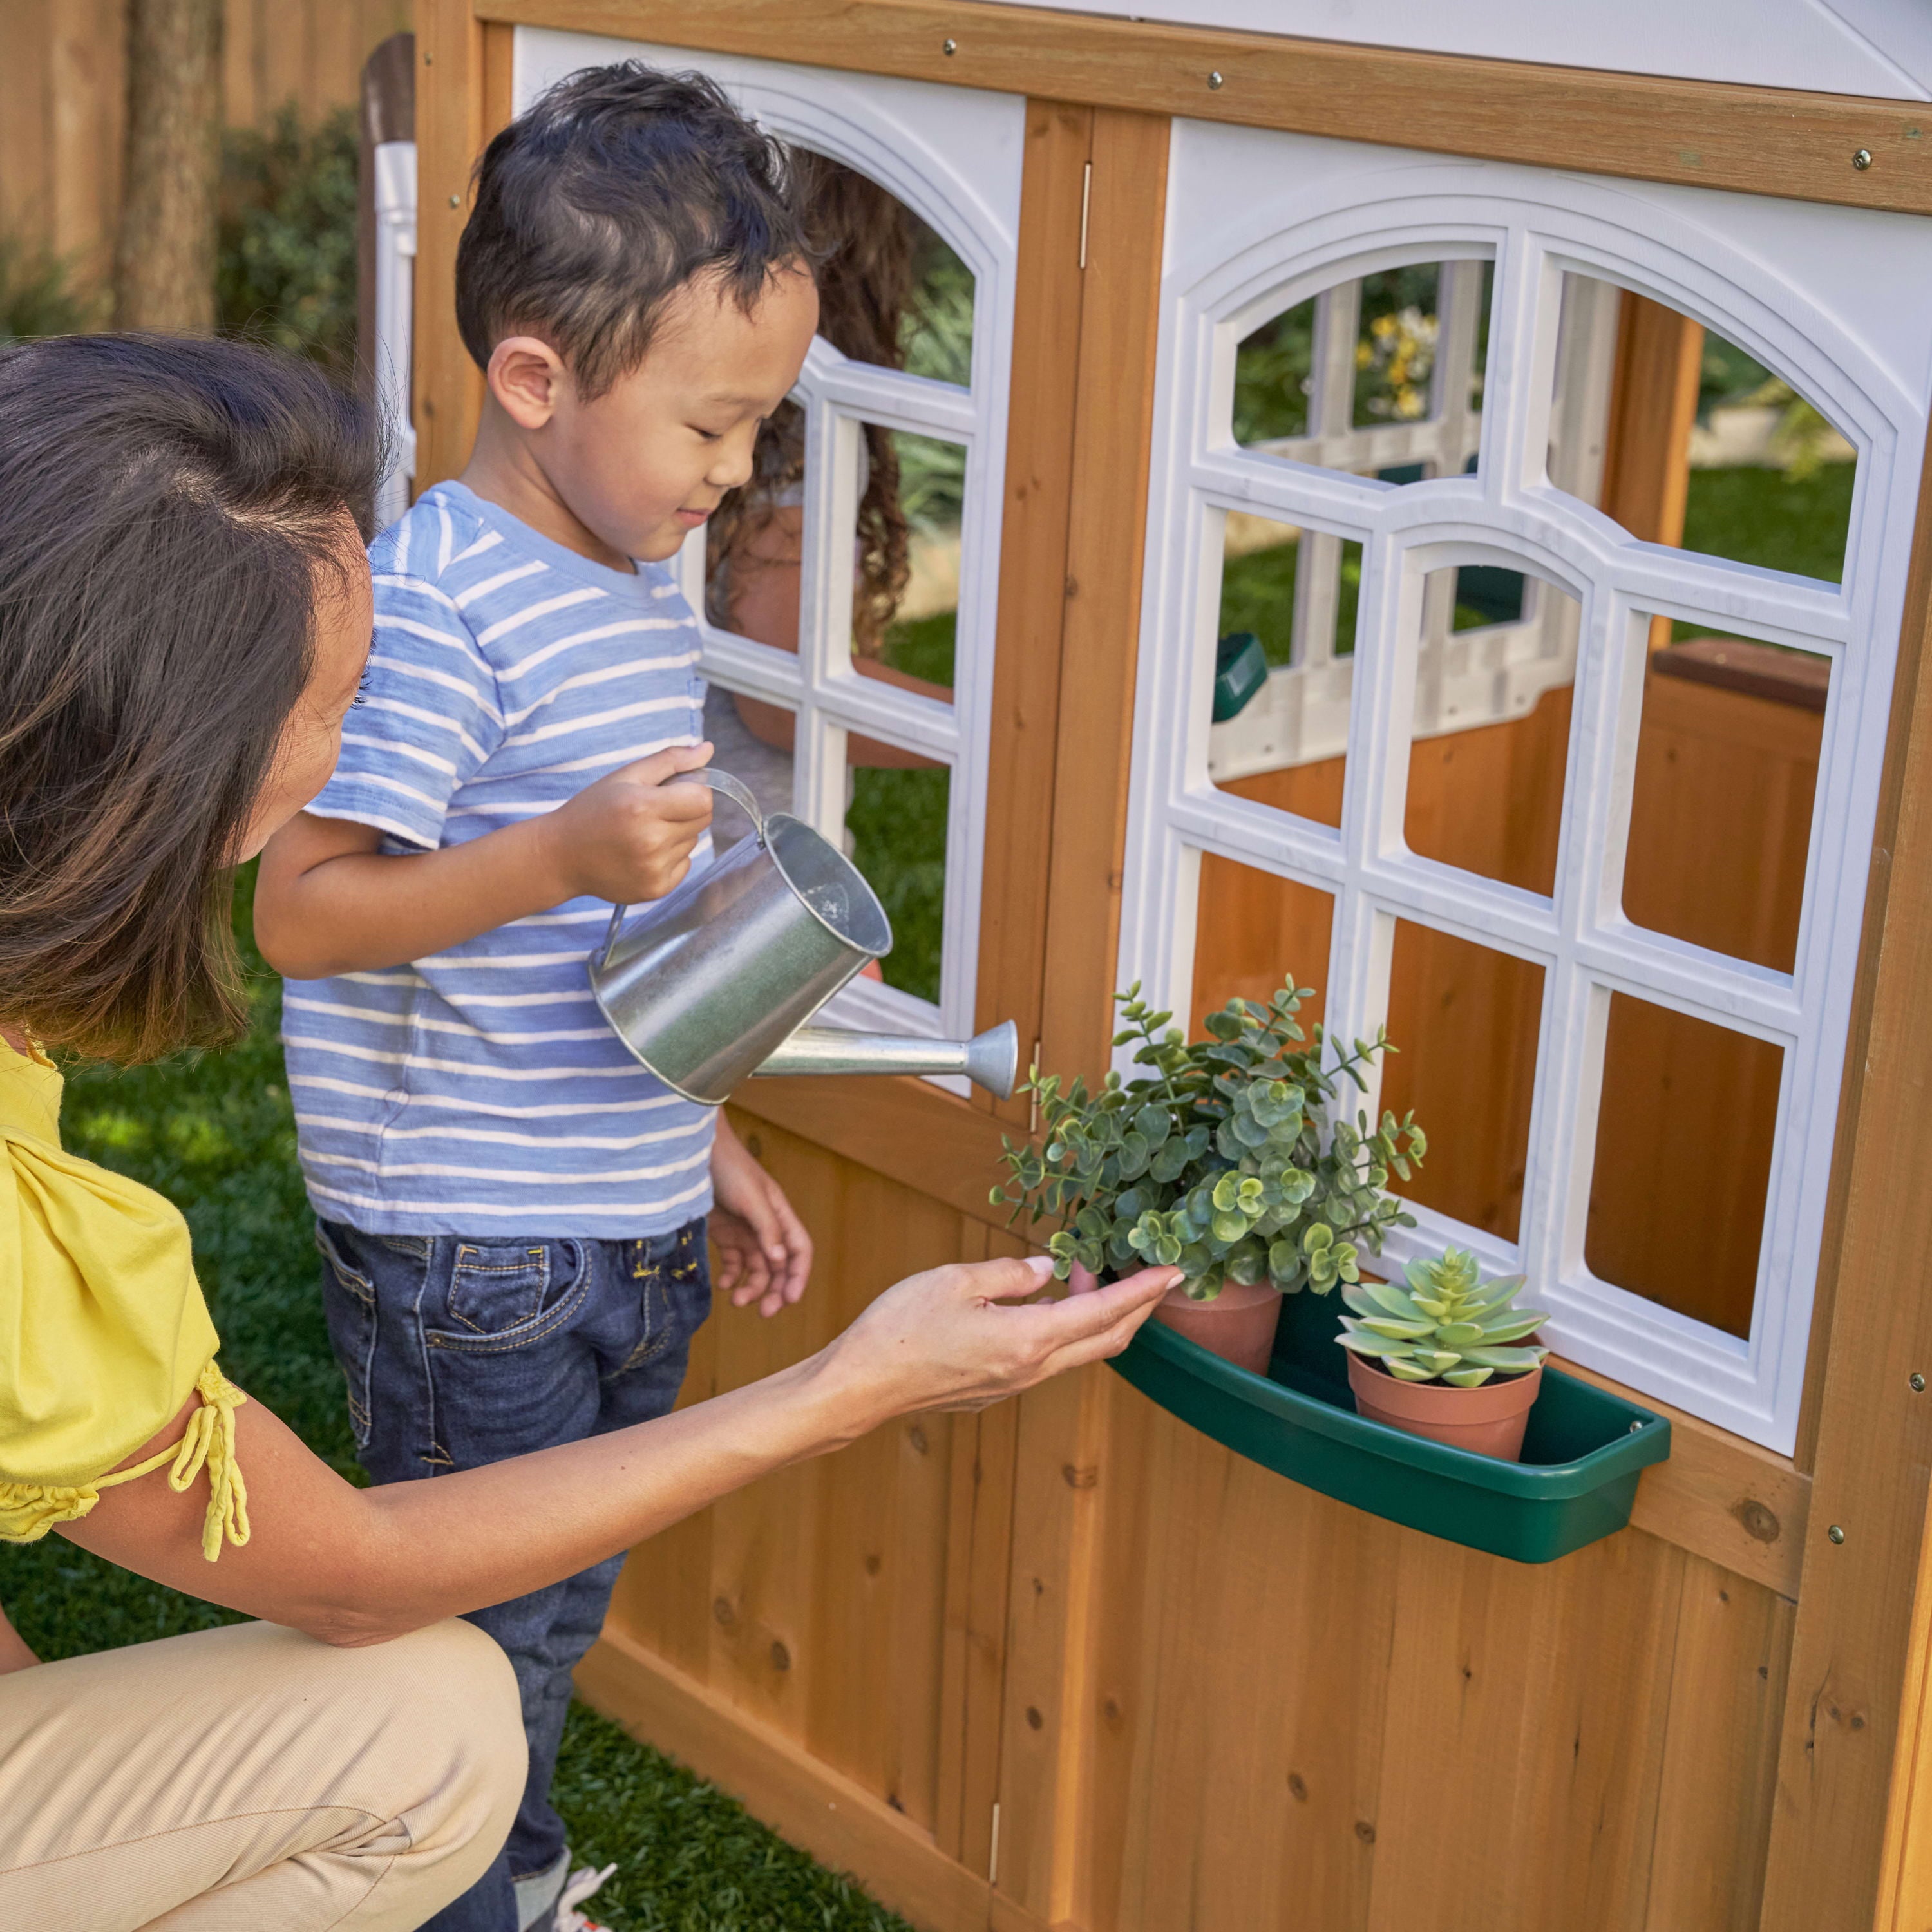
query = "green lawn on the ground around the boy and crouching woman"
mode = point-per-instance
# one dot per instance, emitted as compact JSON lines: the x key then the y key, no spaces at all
{"x":217,"y":1137}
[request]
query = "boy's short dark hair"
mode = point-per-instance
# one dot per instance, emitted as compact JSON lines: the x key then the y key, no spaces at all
{"x":608,"y":196}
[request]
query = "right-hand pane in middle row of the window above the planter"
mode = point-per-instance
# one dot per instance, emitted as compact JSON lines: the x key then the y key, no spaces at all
{"x":1722,"y":803}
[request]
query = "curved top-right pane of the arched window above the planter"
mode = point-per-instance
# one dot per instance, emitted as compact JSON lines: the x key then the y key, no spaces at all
{"x":1686,"y":440}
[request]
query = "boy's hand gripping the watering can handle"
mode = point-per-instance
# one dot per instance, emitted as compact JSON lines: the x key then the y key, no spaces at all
{"x":631,"y":836}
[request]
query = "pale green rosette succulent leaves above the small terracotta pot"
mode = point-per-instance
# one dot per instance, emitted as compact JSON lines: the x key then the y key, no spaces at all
{"x":1446,"y":1326}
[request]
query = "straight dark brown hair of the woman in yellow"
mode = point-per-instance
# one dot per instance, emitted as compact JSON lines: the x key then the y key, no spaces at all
{"x":169,"y":515}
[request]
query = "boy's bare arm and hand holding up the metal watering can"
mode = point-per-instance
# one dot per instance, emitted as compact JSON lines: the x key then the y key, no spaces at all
{"x":327,"y":901}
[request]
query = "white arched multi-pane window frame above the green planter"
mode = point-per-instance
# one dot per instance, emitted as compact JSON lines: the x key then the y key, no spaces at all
{"x":1342,"y":212}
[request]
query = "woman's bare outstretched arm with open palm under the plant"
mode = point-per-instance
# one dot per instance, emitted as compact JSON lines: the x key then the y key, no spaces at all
{"x":362,"y":1566}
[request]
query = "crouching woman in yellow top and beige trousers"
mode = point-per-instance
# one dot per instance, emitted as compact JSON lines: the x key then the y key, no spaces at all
{"x":185,"y":617}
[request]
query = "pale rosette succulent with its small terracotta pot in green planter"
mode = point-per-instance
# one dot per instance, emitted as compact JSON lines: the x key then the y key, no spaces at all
{"x":1446,"y":1353}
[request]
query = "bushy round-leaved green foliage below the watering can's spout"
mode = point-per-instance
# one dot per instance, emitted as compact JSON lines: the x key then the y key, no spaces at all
{"x":1222,"y":1160}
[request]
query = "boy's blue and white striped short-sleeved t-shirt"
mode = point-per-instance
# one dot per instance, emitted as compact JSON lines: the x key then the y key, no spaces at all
{"x":480,"y":1091}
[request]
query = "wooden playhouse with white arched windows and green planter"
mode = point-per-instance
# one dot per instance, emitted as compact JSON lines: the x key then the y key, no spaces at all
{"x":1436,"y":511}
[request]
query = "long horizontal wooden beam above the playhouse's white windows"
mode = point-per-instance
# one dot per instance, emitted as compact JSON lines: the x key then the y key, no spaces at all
{"x":1709,"y":134}
